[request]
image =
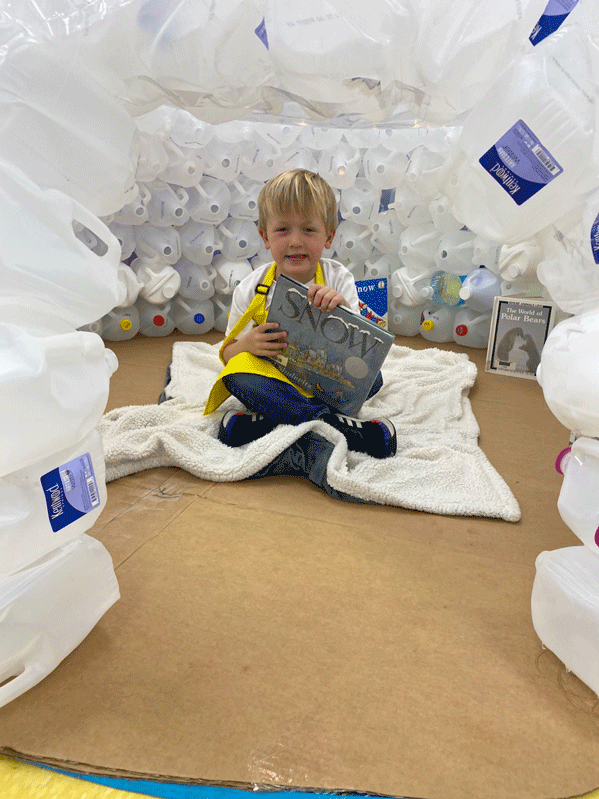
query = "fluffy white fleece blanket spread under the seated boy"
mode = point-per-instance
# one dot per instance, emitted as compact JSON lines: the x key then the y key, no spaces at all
{"x":438,"y":468}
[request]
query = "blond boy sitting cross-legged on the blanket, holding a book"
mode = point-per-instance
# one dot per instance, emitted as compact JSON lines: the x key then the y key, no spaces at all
{"x":297,"y":220}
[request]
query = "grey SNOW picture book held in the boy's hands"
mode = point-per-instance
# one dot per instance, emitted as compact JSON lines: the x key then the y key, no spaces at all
{"x":336,"y":355}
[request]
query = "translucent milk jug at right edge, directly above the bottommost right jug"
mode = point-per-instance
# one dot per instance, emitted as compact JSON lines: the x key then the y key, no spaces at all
{"x":578,"y":501}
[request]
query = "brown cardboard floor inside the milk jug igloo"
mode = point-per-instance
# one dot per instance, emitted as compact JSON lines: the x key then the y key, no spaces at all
{"x":270,"y":635}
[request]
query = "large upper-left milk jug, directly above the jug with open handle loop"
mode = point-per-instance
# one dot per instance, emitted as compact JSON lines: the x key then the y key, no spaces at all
{"x":63,"y":129}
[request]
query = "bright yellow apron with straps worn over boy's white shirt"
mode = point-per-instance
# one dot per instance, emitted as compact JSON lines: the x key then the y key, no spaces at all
{"x":244,"y":361}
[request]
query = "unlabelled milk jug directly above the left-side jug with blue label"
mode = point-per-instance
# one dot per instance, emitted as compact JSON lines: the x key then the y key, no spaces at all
{"x":54,"y":389}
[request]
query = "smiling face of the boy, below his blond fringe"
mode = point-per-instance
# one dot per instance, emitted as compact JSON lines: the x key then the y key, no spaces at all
{"x":296,"y":244}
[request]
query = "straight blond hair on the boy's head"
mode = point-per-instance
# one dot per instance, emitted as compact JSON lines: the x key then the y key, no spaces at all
{"x":297,"y":191}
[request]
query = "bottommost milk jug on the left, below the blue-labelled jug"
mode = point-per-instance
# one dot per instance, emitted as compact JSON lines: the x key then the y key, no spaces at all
{"x":48,"y":608}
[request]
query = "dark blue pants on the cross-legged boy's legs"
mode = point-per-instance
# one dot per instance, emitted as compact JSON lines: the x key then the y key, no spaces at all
{"x":278,"y":400}
